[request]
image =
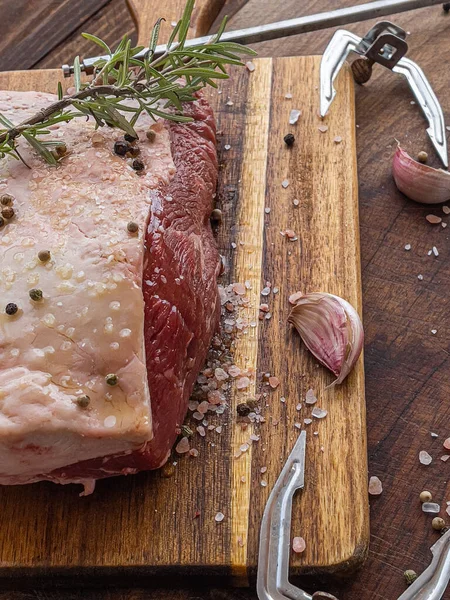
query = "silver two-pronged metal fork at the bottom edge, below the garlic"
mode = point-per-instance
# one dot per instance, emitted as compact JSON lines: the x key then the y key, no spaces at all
{"x":274,"y":544}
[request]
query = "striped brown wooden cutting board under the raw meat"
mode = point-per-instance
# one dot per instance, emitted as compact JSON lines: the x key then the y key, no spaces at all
{"x":151,"y":525}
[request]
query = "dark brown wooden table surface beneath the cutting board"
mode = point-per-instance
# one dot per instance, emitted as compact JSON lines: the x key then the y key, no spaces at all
{"x":407,"y":366}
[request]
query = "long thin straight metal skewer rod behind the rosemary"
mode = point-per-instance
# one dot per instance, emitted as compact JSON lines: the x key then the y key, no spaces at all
{"x":272,"y":31}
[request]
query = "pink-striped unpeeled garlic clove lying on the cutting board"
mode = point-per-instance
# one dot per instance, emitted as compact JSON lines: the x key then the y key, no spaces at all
{"x":331,"y":330}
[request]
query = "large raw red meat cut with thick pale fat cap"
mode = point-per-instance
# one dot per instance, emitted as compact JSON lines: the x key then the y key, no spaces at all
{"x":135,"y":309}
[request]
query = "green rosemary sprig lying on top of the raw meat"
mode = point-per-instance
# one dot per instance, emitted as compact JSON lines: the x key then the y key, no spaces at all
{"x":158,"y":86}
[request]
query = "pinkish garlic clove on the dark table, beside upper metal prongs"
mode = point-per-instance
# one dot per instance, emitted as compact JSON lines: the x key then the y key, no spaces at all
{"x":420,"y":182}
